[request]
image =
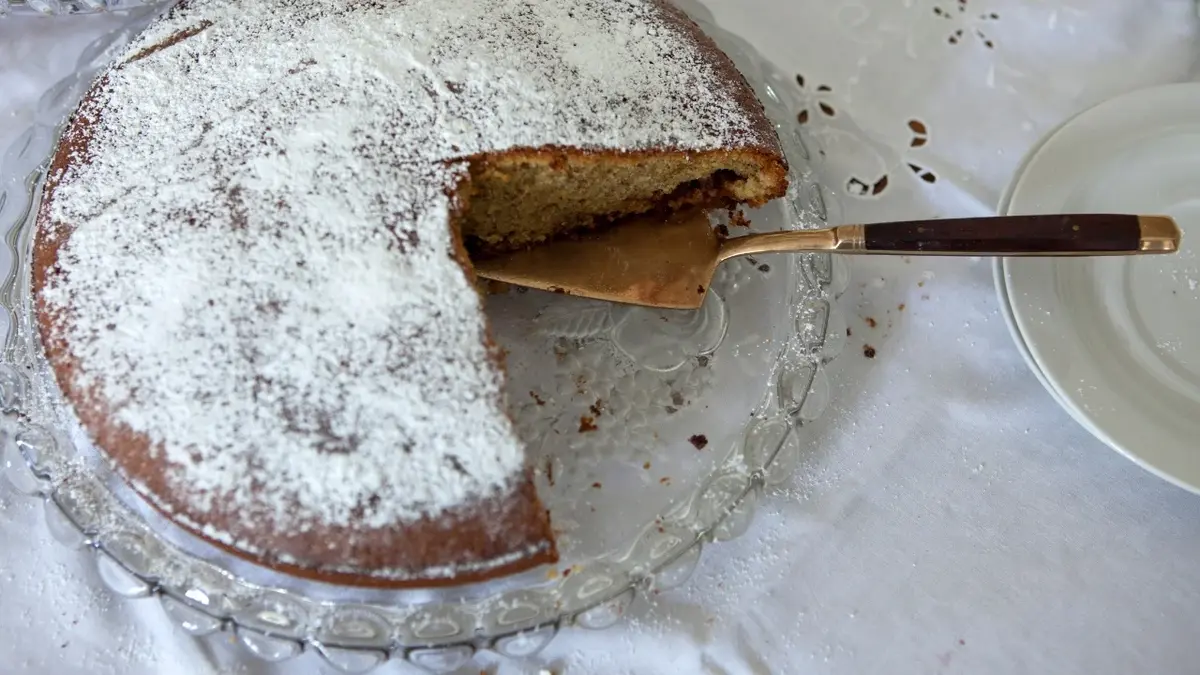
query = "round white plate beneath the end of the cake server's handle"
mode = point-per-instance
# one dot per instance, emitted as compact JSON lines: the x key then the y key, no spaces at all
{"x":1118,"y":341}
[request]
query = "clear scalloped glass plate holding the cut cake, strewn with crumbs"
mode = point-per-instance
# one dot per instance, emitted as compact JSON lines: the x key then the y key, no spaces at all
{"x":640,"y":456}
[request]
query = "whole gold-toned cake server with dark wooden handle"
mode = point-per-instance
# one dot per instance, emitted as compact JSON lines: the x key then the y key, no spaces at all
{"x":671,"y":265}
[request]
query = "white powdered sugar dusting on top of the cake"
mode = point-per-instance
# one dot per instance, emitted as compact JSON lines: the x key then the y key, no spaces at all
{"x":261,"y":276}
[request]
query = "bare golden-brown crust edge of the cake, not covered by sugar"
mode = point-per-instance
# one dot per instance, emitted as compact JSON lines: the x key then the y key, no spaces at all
{"x":503,"y":534}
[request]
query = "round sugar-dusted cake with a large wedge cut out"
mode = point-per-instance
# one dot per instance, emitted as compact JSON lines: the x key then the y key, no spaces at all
{"x":253,"y":259}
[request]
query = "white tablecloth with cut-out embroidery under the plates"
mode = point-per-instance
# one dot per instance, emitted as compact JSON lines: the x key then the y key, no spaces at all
{"x":951,"y":518}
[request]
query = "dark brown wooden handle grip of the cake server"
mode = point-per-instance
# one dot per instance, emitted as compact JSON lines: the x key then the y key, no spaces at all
{"x":1010,"y":235}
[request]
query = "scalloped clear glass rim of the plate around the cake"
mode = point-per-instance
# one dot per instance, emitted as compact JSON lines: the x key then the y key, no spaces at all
{"x":439,"y":632}
